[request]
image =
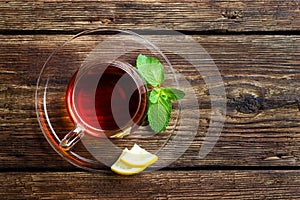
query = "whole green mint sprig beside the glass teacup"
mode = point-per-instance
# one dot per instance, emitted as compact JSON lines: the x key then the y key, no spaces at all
{"x":159,"y":99}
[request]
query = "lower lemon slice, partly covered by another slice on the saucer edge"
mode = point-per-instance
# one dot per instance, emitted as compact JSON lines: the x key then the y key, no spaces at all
{"x":120,"y":167}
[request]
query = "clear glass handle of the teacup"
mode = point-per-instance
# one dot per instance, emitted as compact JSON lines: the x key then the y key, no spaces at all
{"x":71,"y":138}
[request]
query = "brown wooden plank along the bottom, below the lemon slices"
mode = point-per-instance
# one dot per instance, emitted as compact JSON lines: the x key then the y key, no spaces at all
{"x":157,"y":185}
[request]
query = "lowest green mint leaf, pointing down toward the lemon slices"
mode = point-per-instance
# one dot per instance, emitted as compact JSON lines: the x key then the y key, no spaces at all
{"x":158,"y":117}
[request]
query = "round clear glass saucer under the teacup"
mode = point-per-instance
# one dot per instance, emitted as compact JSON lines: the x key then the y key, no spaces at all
{"x":94,"y":153}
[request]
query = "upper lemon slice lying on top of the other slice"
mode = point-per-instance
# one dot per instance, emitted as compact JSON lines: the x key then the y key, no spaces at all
{"x":138,"y":157}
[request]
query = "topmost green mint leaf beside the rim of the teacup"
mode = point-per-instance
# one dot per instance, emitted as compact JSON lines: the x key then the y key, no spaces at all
{"x":150,"y":69}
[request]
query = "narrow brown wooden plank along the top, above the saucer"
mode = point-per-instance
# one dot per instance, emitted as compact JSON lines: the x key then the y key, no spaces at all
{"x":250,"y":15}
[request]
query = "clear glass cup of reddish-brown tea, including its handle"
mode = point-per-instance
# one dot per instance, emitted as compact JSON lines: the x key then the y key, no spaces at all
{"x":104,"y":100}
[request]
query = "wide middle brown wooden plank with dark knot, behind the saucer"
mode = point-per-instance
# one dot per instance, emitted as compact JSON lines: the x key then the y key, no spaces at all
{"x":257,"y":70}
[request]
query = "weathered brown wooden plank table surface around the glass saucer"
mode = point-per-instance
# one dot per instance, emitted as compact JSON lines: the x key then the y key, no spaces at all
{"x":256,"y":46}
